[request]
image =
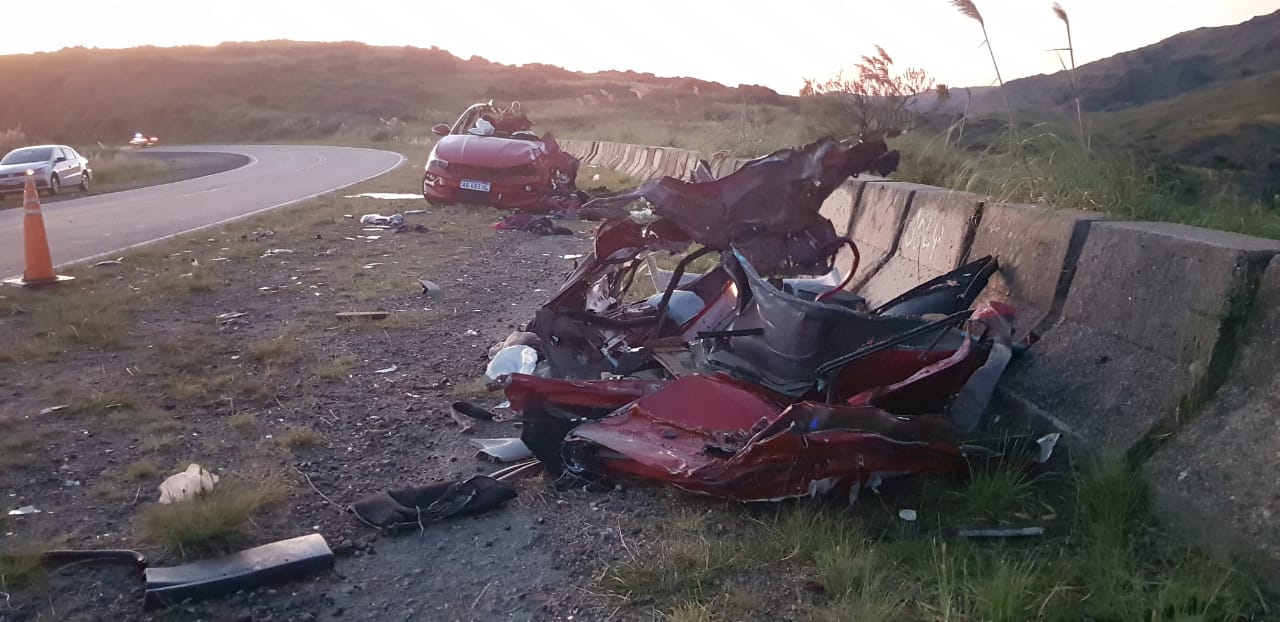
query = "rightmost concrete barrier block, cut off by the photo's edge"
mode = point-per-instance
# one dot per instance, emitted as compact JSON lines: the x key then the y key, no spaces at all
{"x":1217,"y":475}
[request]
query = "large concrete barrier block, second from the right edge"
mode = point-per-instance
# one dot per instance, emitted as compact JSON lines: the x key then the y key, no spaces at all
{"x":1148,"y":326}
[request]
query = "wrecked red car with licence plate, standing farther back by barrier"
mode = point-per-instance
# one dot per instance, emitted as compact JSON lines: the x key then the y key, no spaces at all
{"x":491,"y":157}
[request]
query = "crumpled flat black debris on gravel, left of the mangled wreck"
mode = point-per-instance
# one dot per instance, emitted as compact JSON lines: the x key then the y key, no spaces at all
{"x":414,"y":507}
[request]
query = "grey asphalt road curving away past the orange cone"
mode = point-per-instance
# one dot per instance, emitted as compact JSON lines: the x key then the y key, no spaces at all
{"x":276,"y":176}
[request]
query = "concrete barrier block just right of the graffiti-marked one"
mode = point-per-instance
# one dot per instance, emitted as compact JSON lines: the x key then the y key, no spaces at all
{"x":1037,"y":249}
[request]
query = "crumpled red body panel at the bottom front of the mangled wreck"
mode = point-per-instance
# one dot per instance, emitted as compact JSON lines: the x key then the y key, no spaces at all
{"x":717,"y":437}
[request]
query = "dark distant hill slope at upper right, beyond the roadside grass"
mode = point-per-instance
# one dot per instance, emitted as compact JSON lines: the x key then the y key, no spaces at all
{"x":1204,"y":100}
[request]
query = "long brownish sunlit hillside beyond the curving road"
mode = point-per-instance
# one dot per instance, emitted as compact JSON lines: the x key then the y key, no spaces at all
{"x":281,"y":90}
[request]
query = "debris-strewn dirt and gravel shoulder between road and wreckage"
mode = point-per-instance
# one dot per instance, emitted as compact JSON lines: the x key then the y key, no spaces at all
{"x":154,"y":381}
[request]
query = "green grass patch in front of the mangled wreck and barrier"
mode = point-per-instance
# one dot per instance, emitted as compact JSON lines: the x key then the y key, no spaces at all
{"x":1104,"y":559}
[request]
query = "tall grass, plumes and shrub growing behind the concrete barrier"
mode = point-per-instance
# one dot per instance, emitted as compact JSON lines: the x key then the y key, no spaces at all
{"x":1062,"y":157}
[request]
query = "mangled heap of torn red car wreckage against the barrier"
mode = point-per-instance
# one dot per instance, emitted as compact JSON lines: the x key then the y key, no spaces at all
{"x":764,"y":378}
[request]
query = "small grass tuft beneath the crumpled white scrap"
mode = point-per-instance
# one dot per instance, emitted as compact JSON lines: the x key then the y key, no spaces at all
{"x":213,"y":522}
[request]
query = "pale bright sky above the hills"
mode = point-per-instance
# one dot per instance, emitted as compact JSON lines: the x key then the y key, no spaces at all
{"x":735,"y":43}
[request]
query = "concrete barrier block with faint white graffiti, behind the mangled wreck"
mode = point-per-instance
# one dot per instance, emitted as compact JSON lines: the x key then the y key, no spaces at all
{"x":935,"y":240}
